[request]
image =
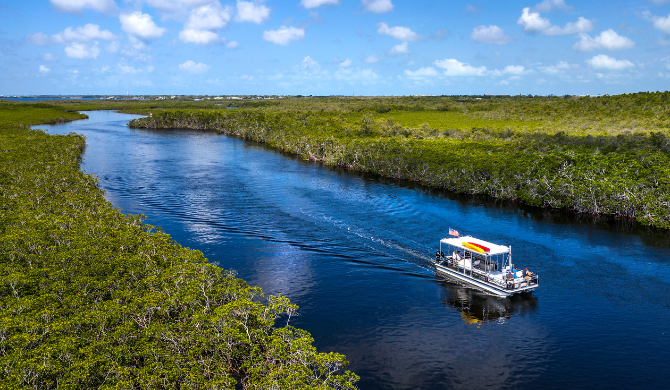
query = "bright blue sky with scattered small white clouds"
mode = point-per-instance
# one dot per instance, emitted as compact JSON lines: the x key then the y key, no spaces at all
{"x":327,"y":47}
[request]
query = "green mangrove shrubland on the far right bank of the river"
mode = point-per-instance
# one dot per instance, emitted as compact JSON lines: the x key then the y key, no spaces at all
{"x":607,"y":155}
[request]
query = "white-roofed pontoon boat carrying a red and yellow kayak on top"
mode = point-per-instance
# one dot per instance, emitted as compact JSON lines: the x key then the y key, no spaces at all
{"x":484,"y":265}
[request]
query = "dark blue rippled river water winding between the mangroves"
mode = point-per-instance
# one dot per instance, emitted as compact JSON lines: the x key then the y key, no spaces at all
{"x":354,"y":253}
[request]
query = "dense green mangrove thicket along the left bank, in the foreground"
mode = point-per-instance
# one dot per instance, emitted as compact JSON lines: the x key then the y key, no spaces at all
{"x":90,"y":297}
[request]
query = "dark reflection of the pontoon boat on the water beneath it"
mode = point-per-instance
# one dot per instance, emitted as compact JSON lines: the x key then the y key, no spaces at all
{"x":477,"y":307}
